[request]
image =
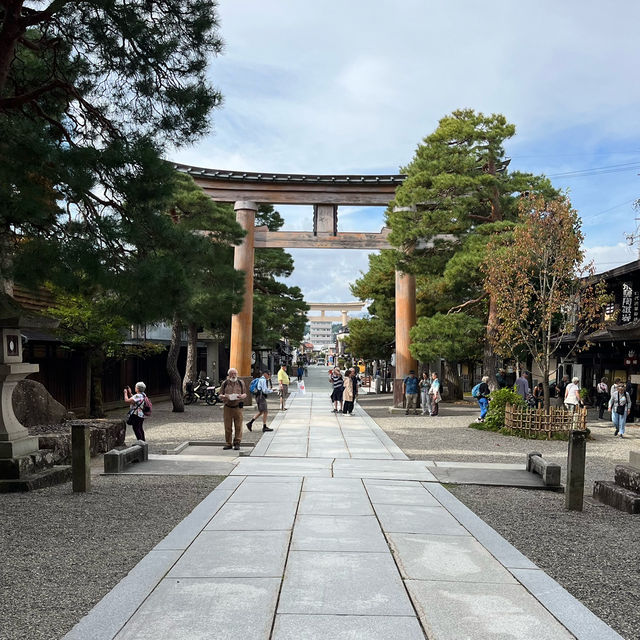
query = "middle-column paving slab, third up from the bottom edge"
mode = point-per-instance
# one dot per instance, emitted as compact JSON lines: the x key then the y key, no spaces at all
{"x":338,"y":533}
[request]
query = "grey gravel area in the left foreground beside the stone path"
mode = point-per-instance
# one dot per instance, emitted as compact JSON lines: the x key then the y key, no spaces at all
{"x":62,"y":552}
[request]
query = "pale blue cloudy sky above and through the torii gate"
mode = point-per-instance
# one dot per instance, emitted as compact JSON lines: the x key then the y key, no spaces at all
{"x":353,"y":87}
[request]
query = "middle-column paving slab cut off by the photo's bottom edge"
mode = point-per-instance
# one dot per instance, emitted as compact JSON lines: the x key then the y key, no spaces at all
{"x":299,"y":627}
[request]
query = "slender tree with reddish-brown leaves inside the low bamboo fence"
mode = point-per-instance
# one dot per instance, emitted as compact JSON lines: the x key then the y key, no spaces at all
{"x":537,"y":280}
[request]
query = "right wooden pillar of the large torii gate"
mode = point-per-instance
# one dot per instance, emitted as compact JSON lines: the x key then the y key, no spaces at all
{"x":405,"y":320}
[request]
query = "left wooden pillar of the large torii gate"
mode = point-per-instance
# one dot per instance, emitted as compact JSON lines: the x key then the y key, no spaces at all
{"x":242,"y":322}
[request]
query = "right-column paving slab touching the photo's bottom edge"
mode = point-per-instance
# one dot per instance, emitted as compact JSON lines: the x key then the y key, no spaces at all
{"x":457,"y":610}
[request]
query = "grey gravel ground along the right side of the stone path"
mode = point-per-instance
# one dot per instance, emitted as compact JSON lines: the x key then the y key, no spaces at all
{"x":593,"y":554}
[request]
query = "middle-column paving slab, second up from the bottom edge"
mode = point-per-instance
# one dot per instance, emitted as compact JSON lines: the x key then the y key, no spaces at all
{"x":343,"y":583}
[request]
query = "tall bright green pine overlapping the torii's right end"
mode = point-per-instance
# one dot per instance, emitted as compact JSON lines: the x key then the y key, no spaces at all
{"x":459,"y":192}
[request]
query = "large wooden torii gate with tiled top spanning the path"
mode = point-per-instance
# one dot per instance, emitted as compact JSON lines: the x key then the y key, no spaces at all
{"x":325,"y":193}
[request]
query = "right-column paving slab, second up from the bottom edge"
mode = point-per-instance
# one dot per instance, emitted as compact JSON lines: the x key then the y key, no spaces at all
{"x":453,"y":558}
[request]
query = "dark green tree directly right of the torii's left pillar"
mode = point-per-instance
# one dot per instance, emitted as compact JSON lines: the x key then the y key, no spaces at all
{"x":279,"y":311}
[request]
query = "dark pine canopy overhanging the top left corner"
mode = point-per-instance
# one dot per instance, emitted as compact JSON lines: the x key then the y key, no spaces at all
{"x":90,"y":93}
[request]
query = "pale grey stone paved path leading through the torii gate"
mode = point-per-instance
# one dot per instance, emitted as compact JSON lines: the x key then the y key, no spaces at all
{"x":328,"y":531}
